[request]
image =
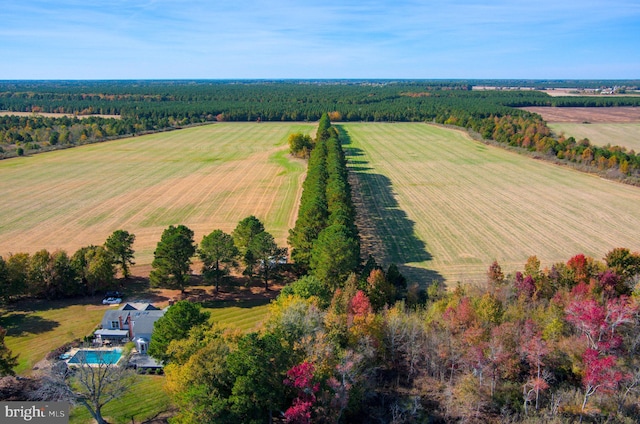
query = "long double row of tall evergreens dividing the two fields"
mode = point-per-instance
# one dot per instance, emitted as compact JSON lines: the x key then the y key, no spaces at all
{"x":325,"y":238}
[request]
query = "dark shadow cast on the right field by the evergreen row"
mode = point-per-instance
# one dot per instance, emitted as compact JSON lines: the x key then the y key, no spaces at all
{"x":387,"y":232}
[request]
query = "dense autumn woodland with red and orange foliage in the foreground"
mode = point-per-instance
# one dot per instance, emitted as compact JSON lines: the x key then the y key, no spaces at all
{"x":558,"y":344}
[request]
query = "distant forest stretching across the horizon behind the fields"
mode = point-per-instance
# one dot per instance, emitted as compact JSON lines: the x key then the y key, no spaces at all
{"x":148,"y":106}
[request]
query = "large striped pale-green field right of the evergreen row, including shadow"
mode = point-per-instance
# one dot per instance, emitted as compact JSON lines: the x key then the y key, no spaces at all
{"x":446,"y":206}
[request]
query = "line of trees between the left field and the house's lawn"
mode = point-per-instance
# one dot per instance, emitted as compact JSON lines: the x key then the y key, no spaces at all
{"x":93,"y":269}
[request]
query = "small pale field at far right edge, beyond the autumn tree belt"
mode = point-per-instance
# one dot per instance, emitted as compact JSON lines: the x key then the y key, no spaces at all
{"x":617,"y":134}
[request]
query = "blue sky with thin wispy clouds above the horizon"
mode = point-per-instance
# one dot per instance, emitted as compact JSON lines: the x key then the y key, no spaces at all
{"x":131,"y":39}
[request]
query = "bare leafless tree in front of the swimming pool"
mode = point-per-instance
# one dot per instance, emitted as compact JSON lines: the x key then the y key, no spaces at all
{"x":92,"y":385}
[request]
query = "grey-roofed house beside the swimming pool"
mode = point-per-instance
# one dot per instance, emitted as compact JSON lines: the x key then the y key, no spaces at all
{"x":132,"y":322}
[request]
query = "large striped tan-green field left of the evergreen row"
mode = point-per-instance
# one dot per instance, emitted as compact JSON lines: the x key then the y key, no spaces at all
{"x":205,"y":177}
